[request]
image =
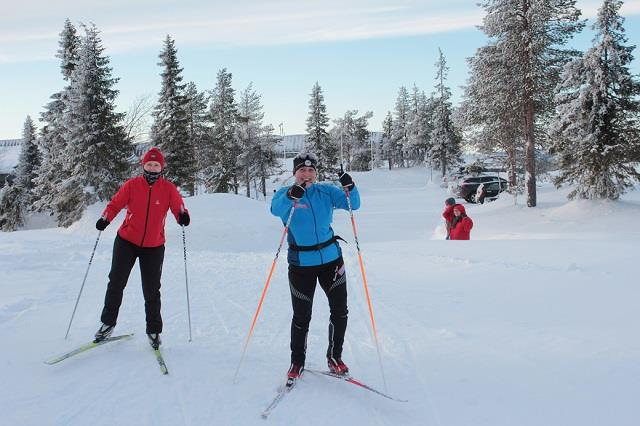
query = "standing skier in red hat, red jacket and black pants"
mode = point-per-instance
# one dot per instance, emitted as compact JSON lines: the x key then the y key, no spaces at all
{"x":147,"y":199}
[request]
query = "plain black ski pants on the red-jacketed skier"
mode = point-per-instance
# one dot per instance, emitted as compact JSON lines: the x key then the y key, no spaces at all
{"x":124,"y":257}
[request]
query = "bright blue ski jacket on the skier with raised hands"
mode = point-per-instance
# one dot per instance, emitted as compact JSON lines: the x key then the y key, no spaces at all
{"x":311,"y":221}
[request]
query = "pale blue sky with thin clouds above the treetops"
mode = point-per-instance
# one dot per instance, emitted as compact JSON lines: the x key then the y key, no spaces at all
{"x":360,"y":51}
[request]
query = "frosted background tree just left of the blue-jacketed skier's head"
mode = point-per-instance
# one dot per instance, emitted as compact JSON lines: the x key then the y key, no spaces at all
{"x":258,"y":158}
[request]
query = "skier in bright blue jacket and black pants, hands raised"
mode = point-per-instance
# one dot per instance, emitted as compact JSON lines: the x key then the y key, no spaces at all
{"x":315,"y":256}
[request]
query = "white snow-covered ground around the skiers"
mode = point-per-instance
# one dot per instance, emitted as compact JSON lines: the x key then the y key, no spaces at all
{"x":532,"y":322}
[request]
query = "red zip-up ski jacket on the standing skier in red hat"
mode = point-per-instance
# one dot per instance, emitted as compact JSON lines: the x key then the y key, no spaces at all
{"x":147,"y":207}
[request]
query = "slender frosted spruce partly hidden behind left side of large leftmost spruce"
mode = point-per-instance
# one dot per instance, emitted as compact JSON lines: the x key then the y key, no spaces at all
{"x":52,"y":140}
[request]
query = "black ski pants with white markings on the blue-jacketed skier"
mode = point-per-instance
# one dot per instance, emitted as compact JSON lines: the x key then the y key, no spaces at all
{"x":302,"y":283}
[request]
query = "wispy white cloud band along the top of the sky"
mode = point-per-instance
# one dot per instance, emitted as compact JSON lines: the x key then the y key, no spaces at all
{"x":142,"y":24}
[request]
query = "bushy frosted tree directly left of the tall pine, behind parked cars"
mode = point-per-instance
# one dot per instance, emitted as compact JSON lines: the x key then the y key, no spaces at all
{"x":491,"y":109}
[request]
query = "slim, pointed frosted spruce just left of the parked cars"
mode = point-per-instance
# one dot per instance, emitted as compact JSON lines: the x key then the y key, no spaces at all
{"x":445,"y":138}
